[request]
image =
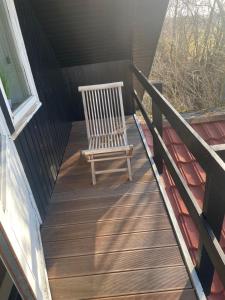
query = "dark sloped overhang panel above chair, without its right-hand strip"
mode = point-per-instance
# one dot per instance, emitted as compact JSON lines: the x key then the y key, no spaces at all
{"x":87,"y":32}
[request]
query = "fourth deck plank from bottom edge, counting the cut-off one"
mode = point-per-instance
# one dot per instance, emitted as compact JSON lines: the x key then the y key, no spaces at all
{"x":112,"y":243}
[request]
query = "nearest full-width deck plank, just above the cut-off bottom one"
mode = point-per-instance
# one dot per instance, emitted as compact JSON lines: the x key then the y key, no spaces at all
{"x":115,"y":284}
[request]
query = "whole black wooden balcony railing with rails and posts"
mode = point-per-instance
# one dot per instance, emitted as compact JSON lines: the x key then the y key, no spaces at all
{"x":208,"y":220}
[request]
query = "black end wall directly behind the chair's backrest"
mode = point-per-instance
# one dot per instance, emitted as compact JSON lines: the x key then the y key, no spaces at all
{"x":97,"y":74}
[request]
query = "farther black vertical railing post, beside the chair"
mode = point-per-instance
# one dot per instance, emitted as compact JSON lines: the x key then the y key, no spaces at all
{"x":157,"y":122}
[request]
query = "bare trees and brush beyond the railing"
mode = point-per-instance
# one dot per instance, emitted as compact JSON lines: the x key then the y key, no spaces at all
{"x":190,"y":59}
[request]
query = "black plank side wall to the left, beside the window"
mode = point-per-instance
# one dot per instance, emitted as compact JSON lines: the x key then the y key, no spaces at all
{"x":42,"y":143}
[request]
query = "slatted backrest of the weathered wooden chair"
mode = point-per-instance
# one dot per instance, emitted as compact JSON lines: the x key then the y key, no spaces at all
{"x":103,"y":109}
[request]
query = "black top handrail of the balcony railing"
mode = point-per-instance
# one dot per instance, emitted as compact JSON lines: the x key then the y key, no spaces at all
{"x":205,"y":155}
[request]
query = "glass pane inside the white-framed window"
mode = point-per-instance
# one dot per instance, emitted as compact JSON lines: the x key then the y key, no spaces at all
{"x":11,"y":72}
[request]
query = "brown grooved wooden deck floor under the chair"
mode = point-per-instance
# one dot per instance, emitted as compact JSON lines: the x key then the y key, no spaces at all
{"x":113,"y":240}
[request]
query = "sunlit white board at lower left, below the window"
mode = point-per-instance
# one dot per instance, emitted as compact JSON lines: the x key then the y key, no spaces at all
{"x":20,"y":224}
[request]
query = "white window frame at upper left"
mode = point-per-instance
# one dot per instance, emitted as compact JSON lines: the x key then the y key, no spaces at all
{"x":22,"y":115}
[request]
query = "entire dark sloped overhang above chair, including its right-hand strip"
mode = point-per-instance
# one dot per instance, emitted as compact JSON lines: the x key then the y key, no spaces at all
{"x":96,"y":31}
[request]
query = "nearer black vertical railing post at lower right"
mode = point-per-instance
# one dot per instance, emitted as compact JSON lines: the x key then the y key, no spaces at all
{"x":213,"y":212}
